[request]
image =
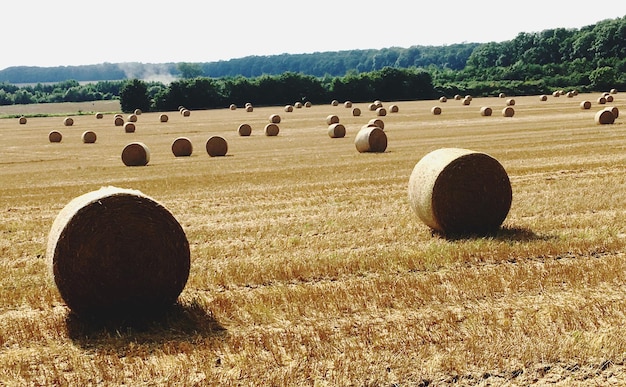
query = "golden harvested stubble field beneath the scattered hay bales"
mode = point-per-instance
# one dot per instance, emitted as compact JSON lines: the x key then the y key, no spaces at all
{"x":308,"y":266}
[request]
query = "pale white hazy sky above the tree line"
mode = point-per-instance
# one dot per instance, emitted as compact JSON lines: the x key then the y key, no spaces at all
{"x":74,"y":32}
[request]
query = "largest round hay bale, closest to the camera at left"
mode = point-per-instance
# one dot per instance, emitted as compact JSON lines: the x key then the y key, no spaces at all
{"x":117,"y":253}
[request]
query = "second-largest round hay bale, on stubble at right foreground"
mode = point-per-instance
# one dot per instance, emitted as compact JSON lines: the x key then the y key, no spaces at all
{"x":460,"y":191}
